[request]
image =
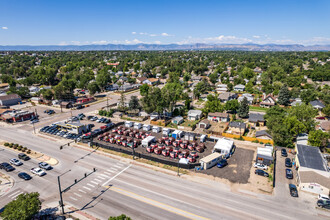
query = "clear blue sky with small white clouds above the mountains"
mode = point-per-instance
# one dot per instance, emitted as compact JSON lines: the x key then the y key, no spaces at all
{"x":62,"y":22}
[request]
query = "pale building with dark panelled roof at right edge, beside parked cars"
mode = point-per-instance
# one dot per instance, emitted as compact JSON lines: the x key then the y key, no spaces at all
{"x":313,"y":175}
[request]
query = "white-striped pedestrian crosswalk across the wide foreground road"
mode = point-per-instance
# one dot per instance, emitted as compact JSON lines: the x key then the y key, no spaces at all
{"x":101,"y":178}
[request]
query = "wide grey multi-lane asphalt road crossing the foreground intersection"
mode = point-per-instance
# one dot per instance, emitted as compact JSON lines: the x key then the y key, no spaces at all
{"x":119,"y":187}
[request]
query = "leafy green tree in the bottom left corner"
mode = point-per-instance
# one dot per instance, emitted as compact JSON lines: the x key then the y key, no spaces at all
{"x":24,"y":207}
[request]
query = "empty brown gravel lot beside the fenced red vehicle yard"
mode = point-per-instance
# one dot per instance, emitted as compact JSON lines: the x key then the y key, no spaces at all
{"x":238,"y":168}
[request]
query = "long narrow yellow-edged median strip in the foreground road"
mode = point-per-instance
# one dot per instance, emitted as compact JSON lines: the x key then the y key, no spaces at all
{"x":157,"y":204}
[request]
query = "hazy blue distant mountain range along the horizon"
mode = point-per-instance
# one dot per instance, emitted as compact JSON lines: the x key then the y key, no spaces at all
{"x":237,"y":47}
